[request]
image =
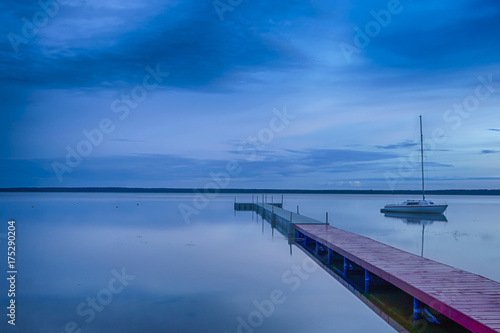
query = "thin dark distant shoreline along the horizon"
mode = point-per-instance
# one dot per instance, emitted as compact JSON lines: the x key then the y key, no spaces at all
{"x":236,"y":191}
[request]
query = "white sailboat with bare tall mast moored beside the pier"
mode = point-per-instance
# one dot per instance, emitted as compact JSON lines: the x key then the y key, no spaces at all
{"x":417,"y":206}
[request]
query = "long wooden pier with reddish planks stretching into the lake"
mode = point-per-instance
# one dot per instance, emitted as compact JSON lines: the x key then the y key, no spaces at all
{"x":469,"y":300}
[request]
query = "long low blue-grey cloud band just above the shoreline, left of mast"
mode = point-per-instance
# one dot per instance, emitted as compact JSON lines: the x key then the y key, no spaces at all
{"x":163,"y":170}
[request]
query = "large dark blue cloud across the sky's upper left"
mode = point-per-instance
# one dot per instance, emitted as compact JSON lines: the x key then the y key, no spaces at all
{"x":187,"y":40}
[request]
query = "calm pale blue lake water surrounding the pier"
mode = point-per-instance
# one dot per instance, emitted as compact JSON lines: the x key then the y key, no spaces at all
{"x":131,"y":263}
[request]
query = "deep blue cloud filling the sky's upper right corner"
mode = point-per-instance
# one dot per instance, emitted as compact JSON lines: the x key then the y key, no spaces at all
{"x":441,"y":36}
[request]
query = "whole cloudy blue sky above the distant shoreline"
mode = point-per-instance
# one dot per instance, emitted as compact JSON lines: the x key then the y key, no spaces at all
{"x":296,"y":94}
